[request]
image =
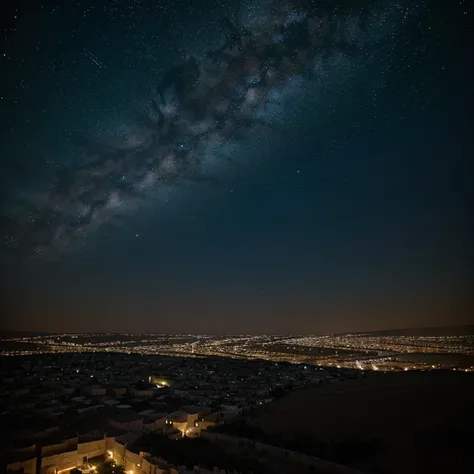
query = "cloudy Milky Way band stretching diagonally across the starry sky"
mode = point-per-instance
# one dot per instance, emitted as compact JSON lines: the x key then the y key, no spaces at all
{"x":190,"y":129}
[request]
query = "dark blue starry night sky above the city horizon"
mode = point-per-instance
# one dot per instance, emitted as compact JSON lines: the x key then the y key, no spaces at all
{"x":340,"y":202}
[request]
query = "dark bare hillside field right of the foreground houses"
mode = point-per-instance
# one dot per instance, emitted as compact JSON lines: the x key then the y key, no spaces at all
{"x":423,"y":419}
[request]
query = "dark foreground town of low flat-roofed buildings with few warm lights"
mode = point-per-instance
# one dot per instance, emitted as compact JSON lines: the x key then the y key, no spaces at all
{"x":61,"y":411}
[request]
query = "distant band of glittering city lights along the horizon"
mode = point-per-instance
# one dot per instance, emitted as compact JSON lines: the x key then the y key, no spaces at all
{"x":368,"y":351}
